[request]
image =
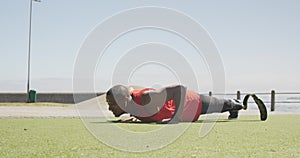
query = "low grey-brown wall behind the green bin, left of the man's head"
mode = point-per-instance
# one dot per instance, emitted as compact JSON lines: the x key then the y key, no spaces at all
{"x":68,"y":98}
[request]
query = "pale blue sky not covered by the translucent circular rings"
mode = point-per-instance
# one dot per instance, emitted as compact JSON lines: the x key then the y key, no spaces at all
{"x":258,"y":42}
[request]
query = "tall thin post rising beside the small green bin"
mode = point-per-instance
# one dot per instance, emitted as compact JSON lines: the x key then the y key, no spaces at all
{"x":29,"y":48}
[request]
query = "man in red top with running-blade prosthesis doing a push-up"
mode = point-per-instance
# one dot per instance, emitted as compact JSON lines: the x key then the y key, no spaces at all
{"x":171,"y":104}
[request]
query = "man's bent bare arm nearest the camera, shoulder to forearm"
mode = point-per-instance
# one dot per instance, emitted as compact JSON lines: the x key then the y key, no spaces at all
{"x":156,"y":99}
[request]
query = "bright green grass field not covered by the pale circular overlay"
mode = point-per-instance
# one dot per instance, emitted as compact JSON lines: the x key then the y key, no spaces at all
{"x":61,"y":137}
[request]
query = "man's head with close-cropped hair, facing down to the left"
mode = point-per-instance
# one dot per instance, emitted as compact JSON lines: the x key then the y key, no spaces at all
{"x":117,"y":97}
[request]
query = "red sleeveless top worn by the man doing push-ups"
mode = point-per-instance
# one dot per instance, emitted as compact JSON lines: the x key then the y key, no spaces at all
{"x":191,"y":112}
